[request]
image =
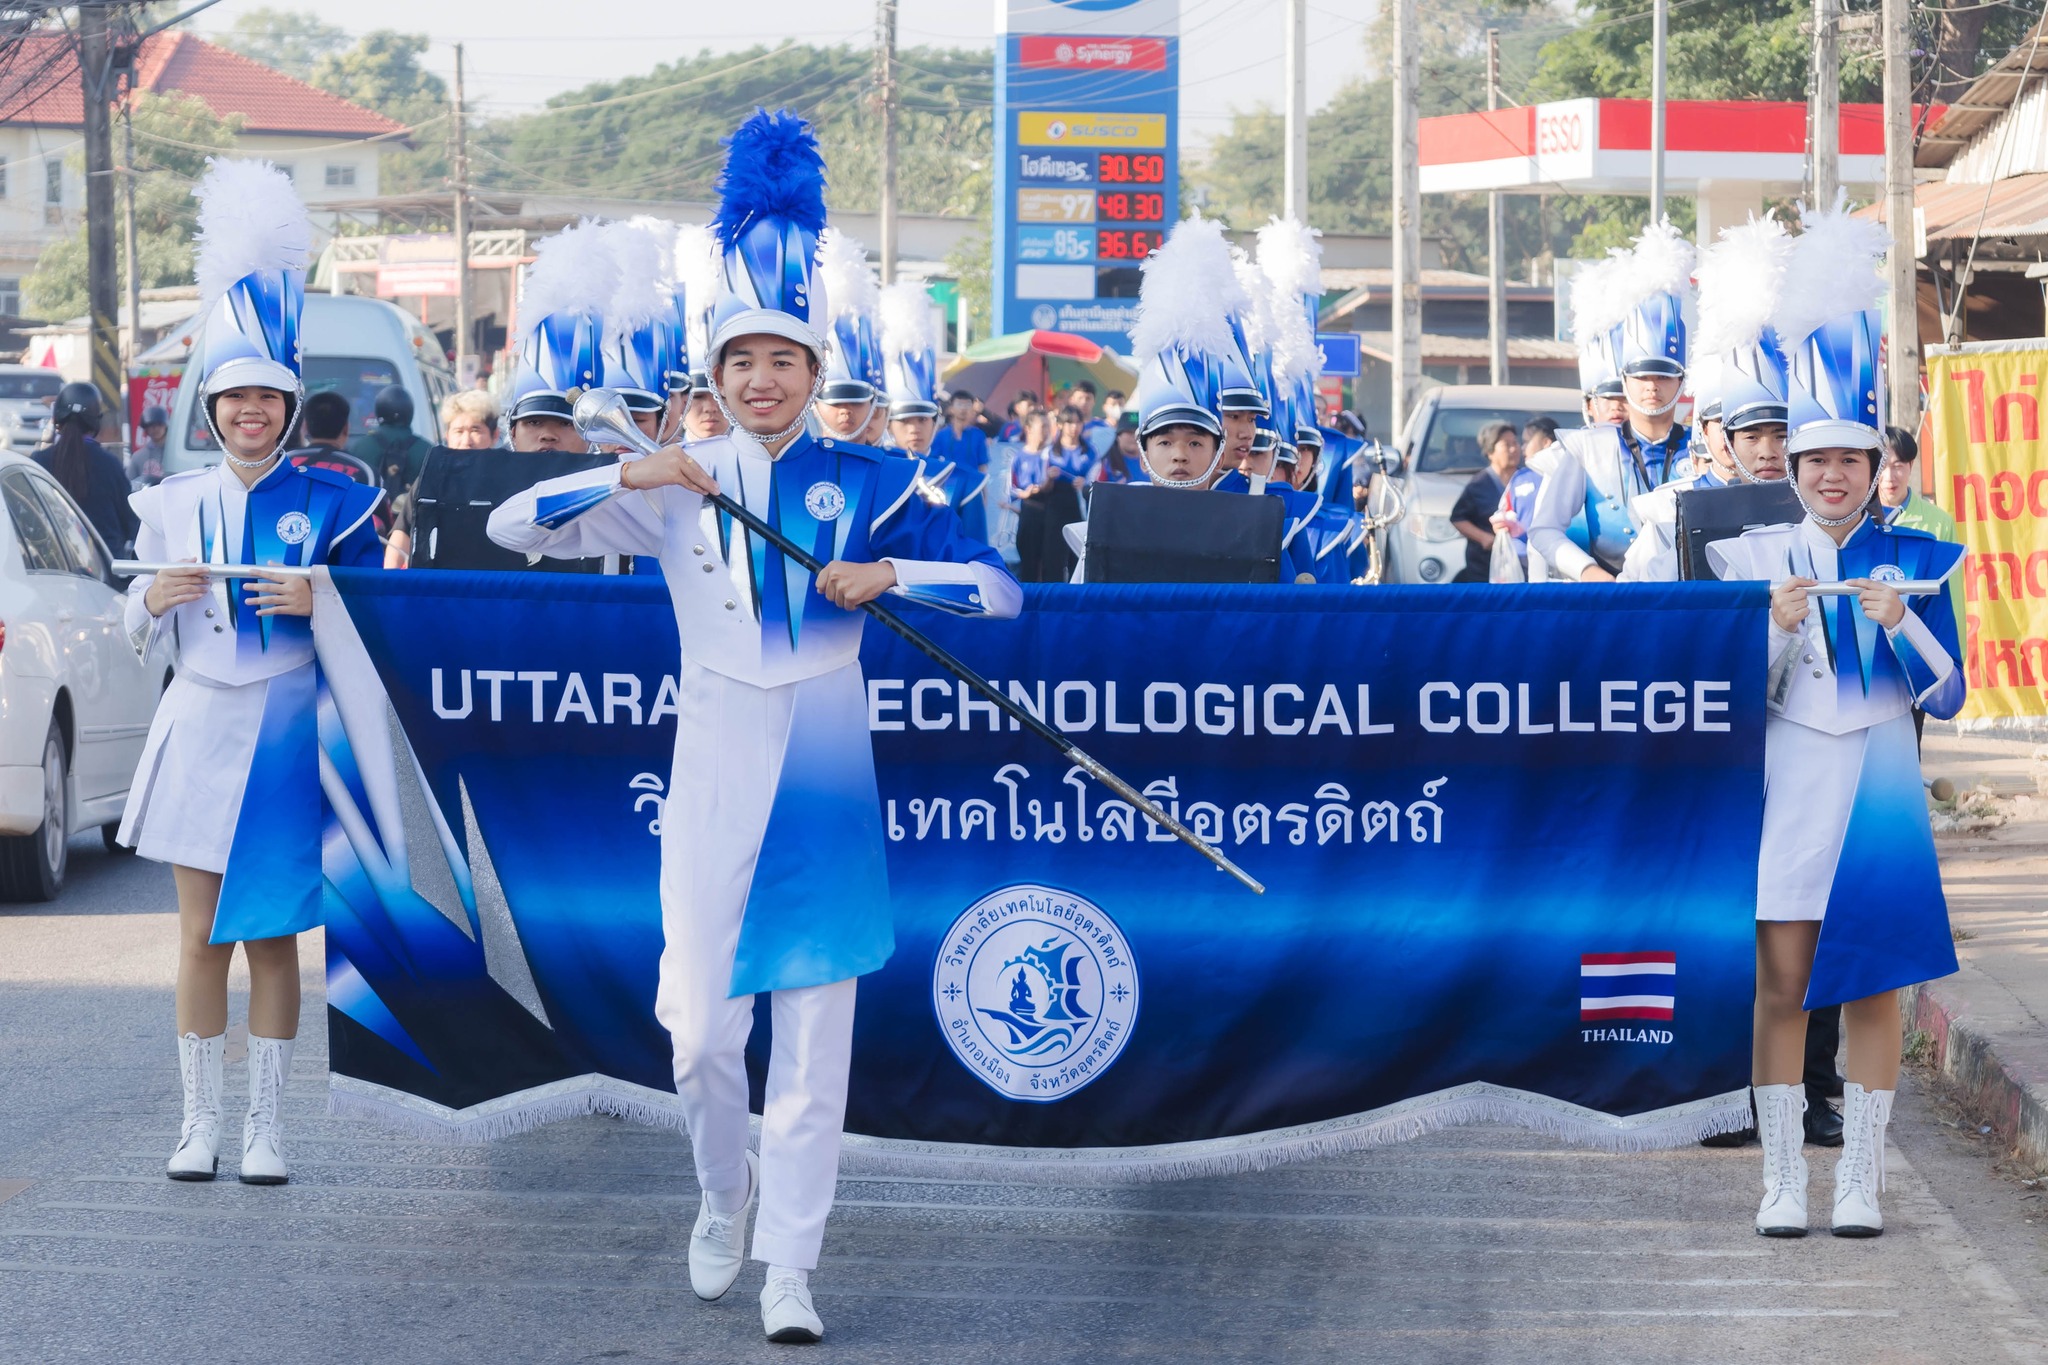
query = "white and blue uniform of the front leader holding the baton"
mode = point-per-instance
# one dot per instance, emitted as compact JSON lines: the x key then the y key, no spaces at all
{"x":771,"y":687}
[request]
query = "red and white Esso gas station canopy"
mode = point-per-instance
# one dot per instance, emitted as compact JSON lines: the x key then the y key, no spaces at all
{"x":1605,"y":148}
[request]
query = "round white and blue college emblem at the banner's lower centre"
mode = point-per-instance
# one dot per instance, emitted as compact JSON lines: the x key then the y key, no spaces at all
{"x":1035,"y":992}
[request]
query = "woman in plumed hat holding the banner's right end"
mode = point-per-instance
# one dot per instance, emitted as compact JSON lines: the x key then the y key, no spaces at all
{"x":1848,"y":891}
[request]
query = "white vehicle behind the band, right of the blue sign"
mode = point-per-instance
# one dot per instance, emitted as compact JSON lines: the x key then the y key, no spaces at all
{"x":1441,"y":455}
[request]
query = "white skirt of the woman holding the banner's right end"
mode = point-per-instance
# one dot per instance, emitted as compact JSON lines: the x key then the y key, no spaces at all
{"x":1809,"y":789}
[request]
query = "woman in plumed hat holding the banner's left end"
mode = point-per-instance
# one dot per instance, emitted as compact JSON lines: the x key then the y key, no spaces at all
{"x":228,"y":787}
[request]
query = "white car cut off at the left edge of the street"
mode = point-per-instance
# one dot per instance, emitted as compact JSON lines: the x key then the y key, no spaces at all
{"x":75,"y":695}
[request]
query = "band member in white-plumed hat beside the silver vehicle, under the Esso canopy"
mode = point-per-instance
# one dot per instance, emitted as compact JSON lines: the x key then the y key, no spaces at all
{"x":1635,"y":304}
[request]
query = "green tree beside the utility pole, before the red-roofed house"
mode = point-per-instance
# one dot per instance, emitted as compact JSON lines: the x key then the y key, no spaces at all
{"x":175,"y":134}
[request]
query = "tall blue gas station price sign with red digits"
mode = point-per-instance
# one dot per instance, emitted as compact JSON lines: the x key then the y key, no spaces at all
{"x":1089,"y":161}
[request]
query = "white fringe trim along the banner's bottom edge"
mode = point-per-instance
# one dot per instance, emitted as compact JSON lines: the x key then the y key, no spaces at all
{"x":1404,"y":1122}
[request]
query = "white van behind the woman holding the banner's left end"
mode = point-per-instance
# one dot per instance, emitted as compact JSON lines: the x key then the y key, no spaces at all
{"x":353,"y":347}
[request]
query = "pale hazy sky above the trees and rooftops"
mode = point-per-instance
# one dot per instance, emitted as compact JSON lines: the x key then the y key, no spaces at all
{"x":517,"y":52}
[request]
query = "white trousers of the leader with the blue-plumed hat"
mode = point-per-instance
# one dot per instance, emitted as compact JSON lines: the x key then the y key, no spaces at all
{"x":728,"y":758}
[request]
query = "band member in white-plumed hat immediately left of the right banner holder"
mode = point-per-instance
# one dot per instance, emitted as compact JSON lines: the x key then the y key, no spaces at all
{"x":1738,"y":384}
